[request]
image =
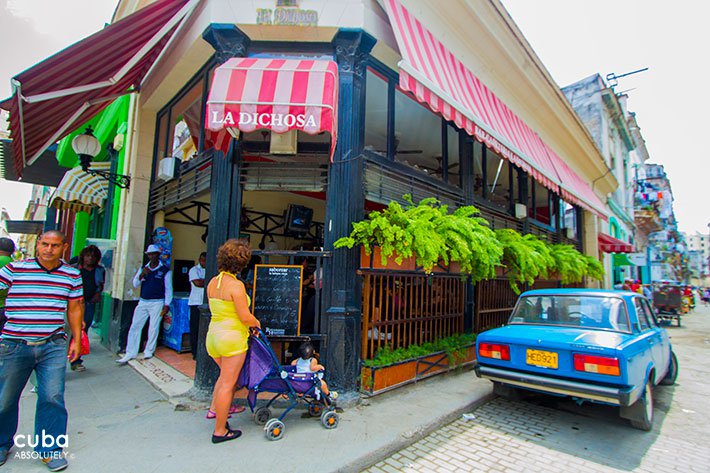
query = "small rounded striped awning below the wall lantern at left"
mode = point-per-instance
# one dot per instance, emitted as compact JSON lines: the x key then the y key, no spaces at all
{"x":81,"y":191}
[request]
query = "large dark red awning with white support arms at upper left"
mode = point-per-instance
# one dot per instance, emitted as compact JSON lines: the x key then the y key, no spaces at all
{"x":57,"y":95}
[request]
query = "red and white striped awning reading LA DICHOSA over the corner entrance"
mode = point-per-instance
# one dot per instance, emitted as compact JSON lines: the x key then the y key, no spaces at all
{"x":280,"y":95}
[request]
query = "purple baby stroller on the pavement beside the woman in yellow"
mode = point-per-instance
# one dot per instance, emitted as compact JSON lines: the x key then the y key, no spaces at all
{"x":262,"y":373}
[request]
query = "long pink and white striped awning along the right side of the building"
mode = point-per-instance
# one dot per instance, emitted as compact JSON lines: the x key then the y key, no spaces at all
{"x":438,"y":79}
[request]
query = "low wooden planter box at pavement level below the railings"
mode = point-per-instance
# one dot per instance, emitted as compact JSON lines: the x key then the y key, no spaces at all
{"x":381,"y":379}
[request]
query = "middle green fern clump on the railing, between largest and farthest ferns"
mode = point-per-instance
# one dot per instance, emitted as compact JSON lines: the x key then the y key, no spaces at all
{"x":525,"y":257}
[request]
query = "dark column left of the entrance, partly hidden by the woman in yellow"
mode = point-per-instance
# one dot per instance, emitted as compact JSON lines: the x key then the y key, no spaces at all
{"x":225,"y":200}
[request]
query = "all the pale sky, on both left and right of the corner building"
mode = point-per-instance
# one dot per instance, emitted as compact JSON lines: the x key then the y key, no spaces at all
{"x":574,"y":39}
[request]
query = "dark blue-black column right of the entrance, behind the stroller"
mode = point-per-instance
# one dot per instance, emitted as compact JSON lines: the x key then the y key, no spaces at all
{"x":345,"y":203}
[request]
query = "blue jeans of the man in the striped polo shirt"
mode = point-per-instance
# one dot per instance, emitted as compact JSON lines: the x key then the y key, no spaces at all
{"x":17,"y":361}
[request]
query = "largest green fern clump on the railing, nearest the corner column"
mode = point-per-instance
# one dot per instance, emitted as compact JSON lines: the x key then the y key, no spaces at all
{"x":431,"y":234}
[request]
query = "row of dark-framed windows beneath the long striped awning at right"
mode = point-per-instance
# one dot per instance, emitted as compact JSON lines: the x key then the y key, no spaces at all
{"x":400,"y":128}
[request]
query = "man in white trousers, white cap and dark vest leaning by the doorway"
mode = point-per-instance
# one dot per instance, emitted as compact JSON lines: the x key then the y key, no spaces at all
{"x":156,"y":283}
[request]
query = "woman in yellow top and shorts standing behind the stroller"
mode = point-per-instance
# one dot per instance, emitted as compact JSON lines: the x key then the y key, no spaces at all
{"x":228,"y":333}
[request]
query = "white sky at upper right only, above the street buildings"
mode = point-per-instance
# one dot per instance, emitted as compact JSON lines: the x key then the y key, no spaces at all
{"x":575,"y":39}
